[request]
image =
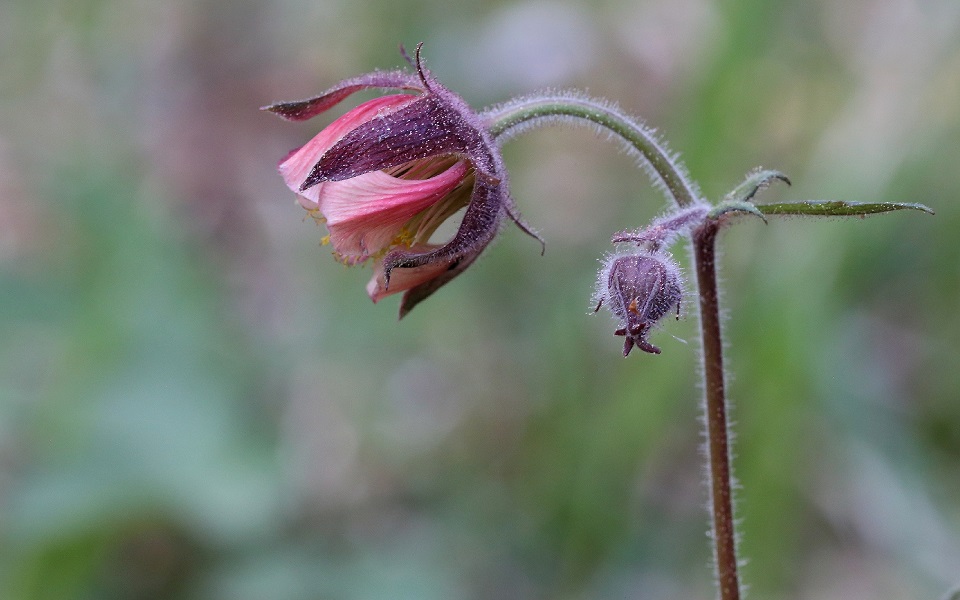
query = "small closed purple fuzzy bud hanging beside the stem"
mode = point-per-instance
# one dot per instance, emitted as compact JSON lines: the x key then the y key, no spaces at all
{"x":639,"y":289}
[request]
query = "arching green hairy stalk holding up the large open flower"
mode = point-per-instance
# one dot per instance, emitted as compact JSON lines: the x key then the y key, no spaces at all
{"x":508,"y":119}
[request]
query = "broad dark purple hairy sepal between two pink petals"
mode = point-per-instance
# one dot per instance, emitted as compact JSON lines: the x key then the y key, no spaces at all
{"x":426,"y":127}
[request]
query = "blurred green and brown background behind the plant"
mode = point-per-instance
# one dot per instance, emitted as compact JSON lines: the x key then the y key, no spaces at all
{"x":197,"y":402}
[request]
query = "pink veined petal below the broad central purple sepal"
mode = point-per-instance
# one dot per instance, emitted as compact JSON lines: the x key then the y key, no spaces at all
{"x":366,"y":214}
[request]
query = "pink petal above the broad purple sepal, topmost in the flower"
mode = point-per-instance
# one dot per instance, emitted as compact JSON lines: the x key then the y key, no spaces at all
{"x":297,"y":165}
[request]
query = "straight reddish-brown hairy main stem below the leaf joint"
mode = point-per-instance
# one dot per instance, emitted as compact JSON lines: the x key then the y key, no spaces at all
{"x":718,"y":444}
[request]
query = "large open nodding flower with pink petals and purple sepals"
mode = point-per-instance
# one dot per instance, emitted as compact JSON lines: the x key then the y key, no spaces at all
{"x":385,"y":175}
